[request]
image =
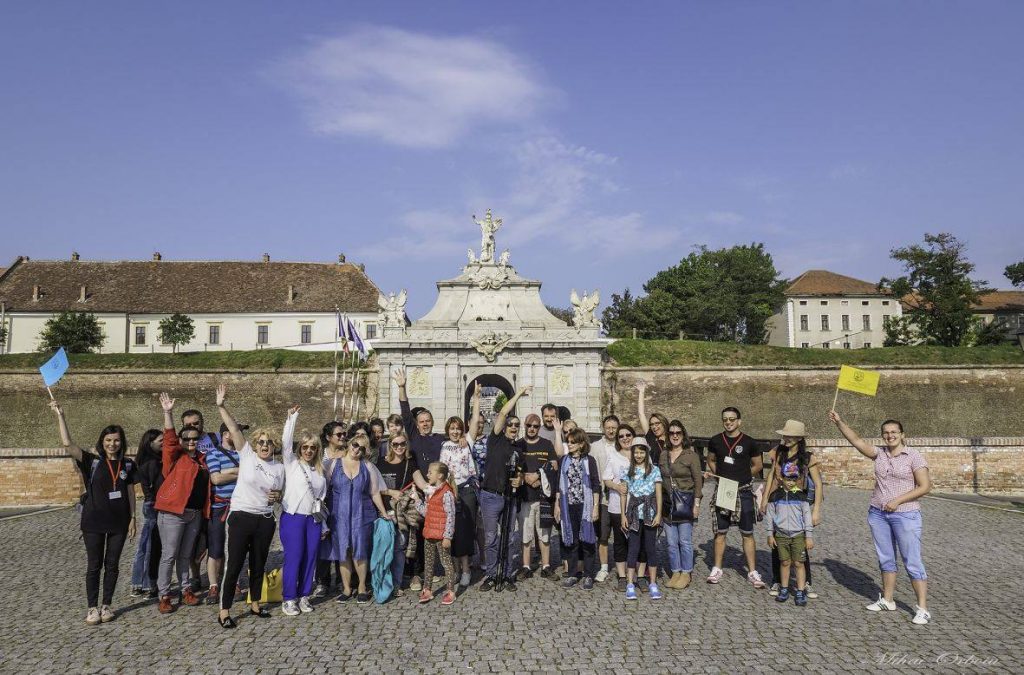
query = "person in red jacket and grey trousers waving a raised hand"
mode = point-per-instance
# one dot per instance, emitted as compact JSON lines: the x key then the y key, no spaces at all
{"x":182,"y":504}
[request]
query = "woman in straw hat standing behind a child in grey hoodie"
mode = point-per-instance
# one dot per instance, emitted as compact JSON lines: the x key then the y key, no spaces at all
{"x":793,"y":459}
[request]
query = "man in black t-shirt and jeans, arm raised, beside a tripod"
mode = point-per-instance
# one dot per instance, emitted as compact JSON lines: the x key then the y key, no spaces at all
{"x":502,"y":476}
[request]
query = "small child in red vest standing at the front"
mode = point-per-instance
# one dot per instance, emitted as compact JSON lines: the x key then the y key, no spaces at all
{"x":439,"y":528}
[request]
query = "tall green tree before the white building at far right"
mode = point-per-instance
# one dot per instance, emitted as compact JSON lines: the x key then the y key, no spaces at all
{"x":937,"y":290}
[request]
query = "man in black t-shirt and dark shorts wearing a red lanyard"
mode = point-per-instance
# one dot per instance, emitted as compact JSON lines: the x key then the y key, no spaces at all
{"x":736,"y":456}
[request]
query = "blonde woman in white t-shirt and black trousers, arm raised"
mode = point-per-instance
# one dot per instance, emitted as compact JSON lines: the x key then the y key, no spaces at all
{"x":250,"y":520}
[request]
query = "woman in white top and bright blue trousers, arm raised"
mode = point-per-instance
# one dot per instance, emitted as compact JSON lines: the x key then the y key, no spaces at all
{"x":304,"y":522}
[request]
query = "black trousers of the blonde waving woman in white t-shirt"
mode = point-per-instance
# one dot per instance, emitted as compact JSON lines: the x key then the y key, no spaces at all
{"x":247,"y":534}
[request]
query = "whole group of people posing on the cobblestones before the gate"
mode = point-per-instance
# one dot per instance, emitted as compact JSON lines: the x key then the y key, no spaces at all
{"x":399,"y":501}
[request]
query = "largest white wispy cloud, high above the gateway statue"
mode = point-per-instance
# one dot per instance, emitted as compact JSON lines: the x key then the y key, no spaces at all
{"x":411,"y":90}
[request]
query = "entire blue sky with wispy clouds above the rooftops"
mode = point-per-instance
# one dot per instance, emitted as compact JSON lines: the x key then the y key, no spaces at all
{"x":612,"y":138}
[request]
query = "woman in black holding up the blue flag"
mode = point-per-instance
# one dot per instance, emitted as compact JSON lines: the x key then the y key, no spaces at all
{"x":108,"y":511}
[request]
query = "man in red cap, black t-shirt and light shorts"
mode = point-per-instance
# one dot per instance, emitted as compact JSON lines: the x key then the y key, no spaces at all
{"x":538,"y":454}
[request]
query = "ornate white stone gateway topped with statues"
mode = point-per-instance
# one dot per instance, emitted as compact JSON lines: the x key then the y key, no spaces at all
{"x":490,"y":323}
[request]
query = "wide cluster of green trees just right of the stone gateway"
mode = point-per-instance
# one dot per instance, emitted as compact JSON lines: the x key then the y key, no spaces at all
{"x":724,"y":296}
